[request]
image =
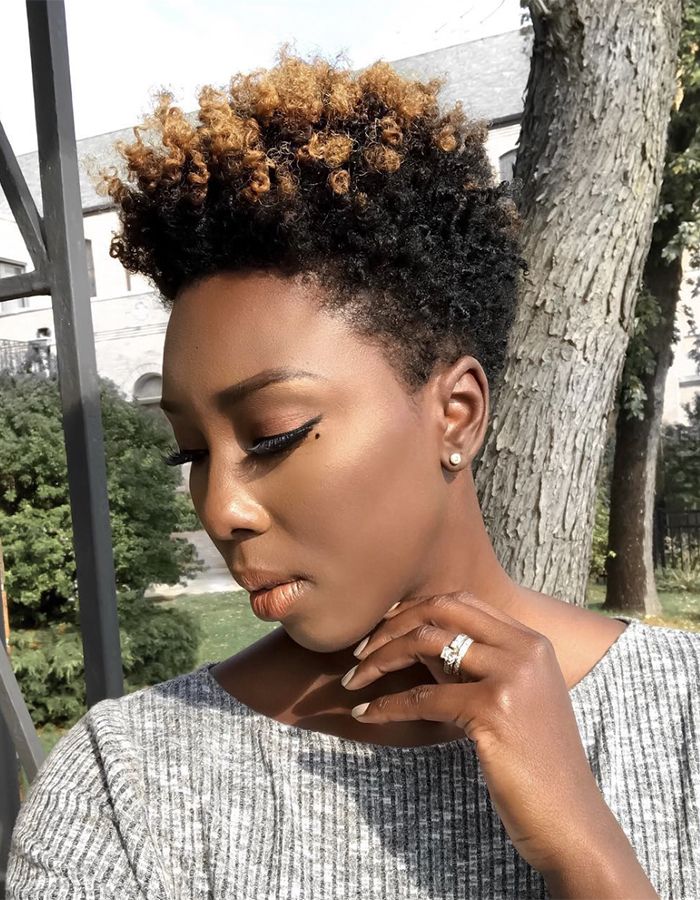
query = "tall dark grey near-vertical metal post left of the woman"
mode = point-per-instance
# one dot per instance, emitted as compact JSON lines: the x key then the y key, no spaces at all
{"x":77,"y":368}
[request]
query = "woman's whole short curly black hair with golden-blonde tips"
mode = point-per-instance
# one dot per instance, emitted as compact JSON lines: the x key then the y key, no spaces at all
{"x":358,"y":179}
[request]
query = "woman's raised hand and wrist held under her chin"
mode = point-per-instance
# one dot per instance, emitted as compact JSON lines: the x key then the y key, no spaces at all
{"x":514,"y":705}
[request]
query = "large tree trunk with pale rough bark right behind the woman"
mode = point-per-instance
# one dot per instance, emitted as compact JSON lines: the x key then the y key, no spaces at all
{"x":591,"y":156}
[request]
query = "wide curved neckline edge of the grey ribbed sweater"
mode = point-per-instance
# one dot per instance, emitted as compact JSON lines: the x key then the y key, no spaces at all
{"x":323,"y":740}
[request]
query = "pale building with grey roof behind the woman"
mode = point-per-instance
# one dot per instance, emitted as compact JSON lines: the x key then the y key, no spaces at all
{"x":489,"y":76}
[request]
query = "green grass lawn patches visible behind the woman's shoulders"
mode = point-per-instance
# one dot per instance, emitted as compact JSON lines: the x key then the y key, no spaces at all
{"x":229,"y":625}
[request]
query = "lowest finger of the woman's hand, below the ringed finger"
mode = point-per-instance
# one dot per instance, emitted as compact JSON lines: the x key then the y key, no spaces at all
{"x":434,"y":702}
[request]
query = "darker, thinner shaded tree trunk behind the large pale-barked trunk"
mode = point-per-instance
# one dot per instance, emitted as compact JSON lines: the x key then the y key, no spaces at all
{"x":630,"y":581}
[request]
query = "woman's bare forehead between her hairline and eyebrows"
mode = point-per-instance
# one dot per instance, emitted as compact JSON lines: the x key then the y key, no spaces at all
{"x":234,"y":325}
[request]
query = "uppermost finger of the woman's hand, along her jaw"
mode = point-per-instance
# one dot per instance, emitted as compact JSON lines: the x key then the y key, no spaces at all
{"x":451,"y":612}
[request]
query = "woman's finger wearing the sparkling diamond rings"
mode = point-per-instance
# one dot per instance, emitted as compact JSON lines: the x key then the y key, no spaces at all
{"x":423,"y":644}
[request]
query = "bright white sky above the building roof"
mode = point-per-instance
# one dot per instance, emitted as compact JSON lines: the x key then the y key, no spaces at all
{"x":122,"y":51}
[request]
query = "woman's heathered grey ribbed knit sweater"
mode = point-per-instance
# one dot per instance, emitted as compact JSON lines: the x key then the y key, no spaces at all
{"x":181,"y":792}
